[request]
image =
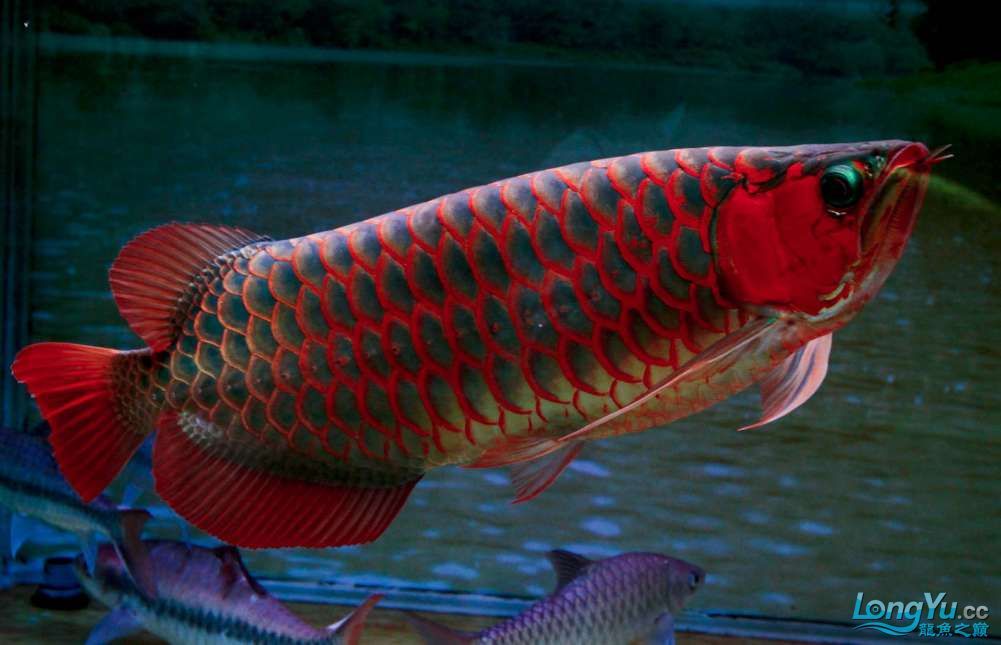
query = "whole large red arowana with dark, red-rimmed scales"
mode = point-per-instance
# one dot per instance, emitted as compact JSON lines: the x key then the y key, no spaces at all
{"x":300,"y":389}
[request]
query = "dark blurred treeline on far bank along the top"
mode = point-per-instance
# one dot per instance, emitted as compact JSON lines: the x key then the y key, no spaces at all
{"x":848,"y":39}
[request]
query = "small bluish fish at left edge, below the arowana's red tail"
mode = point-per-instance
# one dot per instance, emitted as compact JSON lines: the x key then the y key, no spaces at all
{"x":33,"y":487}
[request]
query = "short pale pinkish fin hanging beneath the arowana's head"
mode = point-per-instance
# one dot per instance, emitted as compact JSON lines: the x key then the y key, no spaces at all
{"x":794,"y":381}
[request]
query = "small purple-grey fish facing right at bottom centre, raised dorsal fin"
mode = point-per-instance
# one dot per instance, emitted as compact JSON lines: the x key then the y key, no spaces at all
{"x":613,"y":601}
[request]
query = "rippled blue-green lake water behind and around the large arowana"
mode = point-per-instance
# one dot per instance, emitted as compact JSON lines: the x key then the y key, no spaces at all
{"x":886,"y":482}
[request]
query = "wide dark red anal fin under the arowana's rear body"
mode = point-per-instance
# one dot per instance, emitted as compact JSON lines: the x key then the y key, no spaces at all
{"x":261,"y":510}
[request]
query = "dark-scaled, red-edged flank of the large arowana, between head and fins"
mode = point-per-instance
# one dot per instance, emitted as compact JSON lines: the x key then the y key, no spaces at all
{"x":529,"y":306}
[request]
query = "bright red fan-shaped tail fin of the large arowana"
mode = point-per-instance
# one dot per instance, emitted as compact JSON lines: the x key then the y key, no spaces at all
{"x":74,"y":387}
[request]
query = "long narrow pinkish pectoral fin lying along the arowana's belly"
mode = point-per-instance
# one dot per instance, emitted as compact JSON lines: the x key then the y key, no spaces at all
{"x":718,"y":358}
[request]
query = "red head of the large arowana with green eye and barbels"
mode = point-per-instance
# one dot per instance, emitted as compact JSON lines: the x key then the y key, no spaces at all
{"x":813,"y":232}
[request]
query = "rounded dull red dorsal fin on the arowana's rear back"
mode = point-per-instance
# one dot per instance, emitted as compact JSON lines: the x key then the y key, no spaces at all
{"x":156,"y":273}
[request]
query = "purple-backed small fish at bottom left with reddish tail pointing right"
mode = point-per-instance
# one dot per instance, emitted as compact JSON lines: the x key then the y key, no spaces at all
{"x":203,"y":596}
